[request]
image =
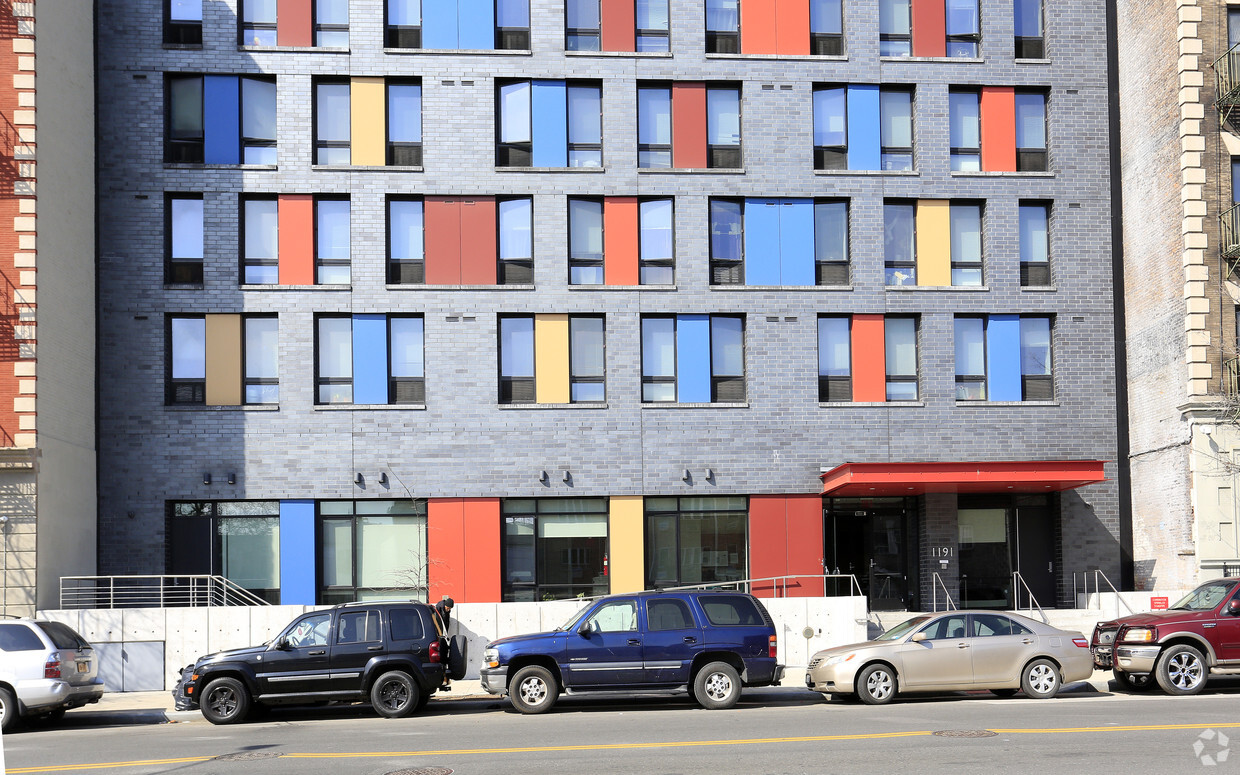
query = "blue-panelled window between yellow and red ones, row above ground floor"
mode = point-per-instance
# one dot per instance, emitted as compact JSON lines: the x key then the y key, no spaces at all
{"x":693,"y":359}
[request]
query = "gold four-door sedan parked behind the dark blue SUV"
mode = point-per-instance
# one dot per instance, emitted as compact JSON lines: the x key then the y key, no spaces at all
{"x":955,"y":652}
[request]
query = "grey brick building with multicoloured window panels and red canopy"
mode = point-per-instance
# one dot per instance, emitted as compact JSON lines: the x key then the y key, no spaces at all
{"x":524,"y":301}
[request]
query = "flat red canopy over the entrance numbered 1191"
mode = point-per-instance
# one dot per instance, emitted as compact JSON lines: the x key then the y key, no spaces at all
{"x":880,"y":479}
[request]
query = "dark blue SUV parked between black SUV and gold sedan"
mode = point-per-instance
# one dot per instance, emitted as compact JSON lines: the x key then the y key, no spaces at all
{"x":709,"y":643}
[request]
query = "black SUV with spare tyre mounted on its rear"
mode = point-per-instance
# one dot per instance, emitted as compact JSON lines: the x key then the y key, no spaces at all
{"x":394,"y":654}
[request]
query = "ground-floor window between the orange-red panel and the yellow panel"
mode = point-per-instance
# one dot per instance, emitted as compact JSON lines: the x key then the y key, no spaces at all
{"x":555,"y":549}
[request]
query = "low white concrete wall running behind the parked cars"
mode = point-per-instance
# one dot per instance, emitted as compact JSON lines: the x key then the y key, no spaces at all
{"x":133,"y":642}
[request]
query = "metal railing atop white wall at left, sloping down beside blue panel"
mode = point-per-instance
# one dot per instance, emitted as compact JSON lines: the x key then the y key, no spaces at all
{"x":105,"y":592}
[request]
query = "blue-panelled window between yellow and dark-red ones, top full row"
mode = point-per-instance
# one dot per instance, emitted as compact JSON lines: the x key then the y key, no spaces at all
{"x":534,"y":117}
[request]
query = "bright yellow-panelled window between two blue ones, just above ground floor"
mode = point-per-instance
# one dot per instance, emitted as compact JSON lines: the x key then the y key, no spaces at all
{"x":552,"y":359}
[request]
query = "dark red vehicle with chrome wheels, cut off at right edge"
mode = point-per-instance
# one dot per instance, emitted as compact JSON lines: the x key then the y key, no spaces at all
{"x":1177,"y":648}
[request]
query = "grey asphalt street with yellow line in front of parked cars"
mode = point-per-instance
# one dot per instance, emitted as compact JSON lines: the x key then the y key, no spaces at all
{"x":774,"y":731}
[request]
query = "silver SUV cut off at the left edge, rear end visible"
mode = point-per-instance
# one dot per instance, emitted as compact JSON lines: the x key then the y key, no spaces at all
{"x":45,"y":670}
